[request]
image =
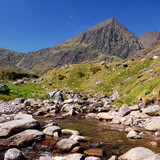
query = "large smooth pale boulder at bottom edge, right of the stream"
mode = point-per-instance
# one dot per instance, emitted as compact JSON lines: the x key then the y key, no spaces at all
{"x":138,"y":153}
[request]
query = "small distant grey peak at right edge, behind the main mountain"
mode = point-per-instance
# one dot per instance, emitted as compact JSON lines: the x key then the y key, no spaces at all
{"x":149,"y":38}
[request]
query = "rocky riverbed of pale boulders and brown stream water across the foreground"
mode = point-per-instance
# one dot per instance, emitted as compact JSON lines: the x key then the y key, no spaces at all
{"x":50,"y":127}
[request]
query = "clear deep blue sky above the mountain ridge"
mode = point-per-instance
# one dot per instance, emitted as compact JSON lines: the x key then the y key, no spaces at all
{"x":29,"y":25}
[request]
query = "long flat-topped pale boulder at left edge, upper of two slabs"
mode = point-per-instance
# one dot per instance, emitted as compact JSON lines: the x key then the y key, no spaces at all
{"x":15,"y":126}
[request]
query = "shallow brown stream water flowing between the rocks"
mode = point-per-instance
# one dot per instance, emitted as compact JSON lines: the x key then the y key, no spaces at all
{"x":115,"y":142}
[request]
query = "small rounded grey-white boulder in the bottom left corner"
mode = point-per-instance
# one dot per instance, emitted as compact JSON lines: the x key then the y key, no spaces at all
{"x":14,"y":154}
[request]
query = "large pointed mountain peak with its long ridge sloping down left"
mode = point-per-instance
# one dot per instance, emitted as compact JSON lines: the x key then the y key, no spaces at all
{"x":107,"y":40}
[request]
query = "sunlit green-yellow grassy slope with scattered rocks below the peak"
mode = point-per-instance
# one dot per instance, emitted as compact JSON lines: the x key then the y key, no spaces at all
{"x":139,"y":80}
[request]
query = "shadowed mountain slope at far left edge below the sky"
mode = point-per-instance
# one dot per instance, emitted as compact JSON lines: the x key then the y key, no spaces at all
{"x":9,"y":58}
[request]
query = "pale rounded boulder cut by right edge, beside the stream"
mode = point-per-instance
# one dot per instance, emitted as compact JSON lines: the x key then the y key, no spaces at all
{"x":154,"y":124}
